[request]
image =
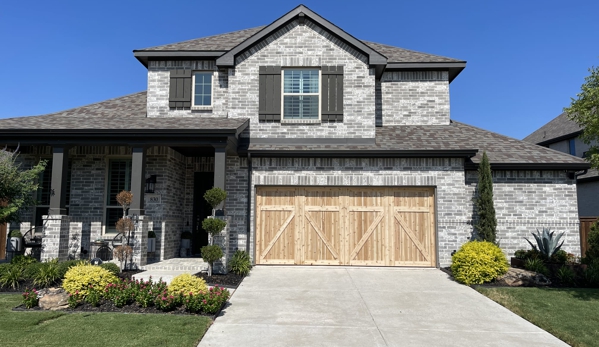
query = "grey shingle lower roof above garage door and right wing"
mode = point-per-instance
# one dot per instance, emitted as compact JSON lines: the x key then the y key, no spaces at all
{"x":503,"y":152}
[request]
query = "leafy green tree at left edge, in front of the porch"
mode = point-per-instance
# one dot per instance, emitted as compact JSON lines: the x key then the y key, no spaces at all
{"x":17,"y":186}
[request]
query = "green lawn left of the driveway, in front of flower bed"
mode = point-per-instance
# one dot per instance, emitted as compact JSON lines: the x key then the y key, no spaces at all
{"x":96,"y":329}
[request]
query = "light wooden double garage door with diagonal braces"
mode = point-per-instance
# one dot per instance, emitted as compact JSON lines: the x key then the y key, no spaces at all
{"x":345,"y":226}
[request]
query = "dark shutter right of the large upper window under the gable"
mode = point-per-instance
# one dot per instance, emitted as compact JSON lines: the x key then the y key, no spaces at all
{"x":332,"y":93}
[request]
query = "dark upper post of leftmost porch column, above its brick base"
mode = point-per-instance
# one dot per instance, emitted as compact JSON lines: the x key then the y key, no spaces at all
{"x":58,"y":184}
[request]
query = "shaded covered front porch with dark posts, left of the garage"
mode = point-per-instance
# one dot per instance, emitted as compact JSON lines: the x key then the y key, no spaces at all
{"x":166,"y":171}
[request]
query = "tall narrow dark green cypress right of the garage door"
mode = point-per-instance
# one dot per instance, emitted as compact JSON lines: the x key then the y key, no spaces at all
{"x":486,"y":224}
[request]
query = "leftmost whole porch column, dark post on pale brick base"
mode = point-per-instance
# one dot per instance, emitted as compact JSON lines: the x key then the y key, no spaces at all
{"x":55,"y":243}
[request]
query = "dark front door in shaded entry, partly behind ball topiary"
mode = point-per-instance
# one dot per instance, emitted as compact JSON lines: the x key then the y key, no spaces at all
{"x":202,"y":181}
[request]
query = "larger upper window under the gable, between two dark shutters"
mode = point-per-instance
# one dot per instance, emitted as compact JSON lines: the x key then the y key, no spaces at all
{"x":301,"y":94}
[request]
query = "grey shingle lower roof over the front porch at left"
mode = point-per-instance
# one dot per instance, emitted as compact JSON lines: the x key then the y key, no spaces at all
{"x":124,"y":113}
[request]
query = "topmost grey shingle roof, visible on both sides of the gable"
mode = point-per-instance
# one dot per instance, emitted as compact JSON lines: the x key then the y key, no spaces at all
{"x":226,"y":42}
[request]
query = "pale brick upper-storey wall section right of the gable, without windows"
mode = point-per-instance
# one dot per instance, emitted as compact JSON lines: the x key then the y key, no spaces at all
{"x":415,"y":97}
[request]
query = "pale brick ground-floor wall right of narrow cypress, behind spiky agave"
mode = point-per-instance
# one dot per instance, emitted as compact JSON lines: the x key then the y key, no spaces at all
{"x":529,"y":200}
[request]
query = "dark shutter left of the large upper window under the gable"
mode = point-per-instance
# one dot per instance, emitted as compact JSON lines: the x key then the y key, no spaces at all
{"x":270,"y":93}
